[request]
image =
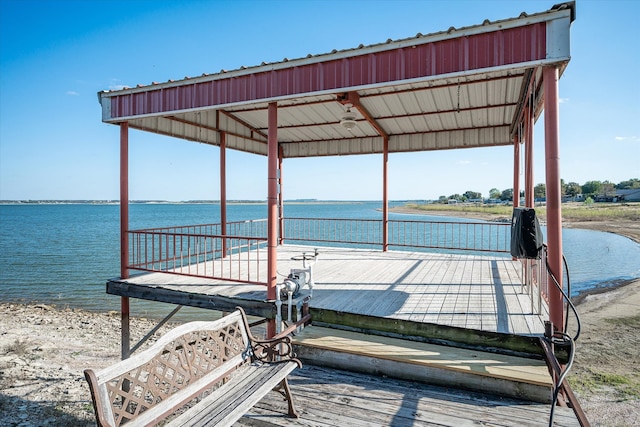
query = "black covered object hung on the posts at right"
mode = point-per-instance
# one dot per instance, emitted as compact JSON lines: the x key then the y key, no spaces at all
{"x":526,"y":236}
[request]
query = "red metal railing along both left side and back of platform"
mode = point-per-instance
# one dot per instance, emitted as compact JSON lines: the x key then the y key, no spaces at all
{"x":240,"y":254}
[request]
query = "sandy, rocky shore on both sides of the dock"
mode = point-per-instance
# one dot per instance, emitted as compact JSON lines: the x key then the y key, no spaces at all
{"x":44,"y":350}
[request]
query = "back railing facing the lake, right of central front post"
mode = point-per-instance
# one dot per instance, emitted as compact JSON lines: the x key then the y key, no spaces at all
{"x":461,"y":236}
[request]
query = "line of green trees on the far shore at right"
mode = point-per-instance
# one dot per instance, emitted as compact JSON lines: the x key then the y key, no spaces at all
{"x":569,"y":189}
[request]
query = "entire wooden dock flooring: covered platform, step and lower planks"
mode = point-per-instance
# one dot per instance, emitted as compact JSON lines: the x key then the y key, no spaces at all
{"x":457,"y":293}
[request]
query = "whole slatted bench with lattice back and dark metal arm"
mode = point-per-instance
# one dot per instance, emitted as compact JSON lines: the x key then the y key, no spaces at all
{"x":200,"y":373}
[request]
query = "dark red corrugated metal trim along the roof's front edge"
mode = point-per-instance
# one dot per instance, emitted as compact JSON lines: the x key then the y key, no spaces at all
{"x":472,"y":52}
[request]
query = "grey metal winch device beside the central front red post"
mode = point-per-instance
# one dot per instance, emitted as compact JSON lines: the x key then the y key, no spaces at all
{"x":293,"y":284}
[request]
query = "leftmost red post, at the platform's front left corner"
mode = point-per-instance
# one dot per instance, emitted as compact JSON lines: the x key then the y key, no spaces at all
{"x":124,"y":235}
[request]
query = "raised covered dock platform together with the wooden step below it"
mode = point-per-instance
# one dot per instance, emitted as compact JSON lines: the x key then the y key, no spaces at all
{"x":445,"y":319}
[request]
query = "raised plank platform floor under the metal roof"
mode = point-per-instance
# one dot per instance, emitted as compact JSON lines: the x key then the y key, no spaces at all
{"x":482,"y":293}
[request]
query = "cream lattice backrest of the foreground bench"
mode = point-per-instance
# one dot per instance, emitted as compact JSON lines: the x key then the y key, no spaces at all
{"x":192,"y":355}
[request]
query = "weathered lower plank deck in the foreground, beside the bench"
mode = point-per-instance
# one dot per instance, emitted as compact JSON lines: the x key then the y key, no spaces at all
{"x":327,"y":397}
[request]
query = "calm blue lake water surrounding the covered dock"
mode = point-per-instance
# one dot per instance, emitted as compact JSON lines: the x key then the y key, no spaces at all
{"x":64,"y":254}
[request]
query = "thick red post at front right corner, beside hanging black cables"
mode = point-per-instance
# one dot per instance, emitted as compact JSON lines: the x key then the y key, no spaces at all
{"x":554,"y":196}
